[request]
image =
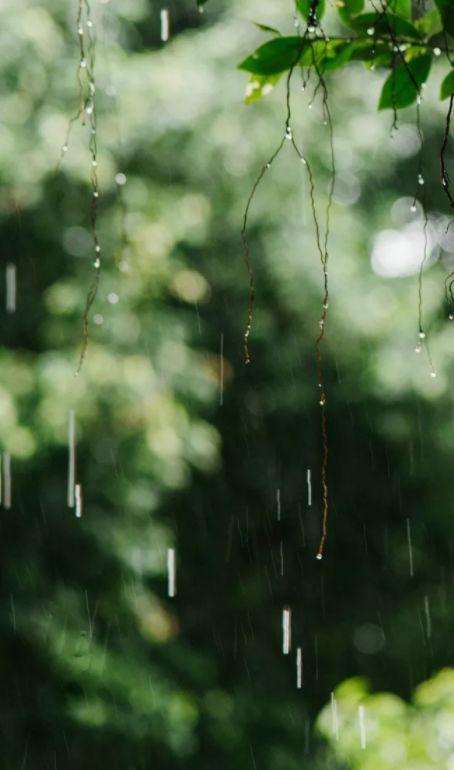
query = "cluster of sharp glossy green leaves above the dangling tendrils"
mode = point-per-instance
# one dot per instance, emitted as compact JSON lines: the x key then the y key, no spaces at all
{"x":391,"y":36}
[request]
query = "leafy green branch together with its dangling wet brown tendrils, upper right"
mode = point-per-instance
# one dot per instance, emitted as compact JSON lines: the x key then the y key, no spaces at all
{"x":388,"y":34}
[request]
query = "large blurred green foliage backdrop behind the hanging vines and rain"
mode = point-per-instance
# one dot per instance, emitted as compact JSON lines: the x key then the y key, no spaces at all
{"x":99,"y":668}
